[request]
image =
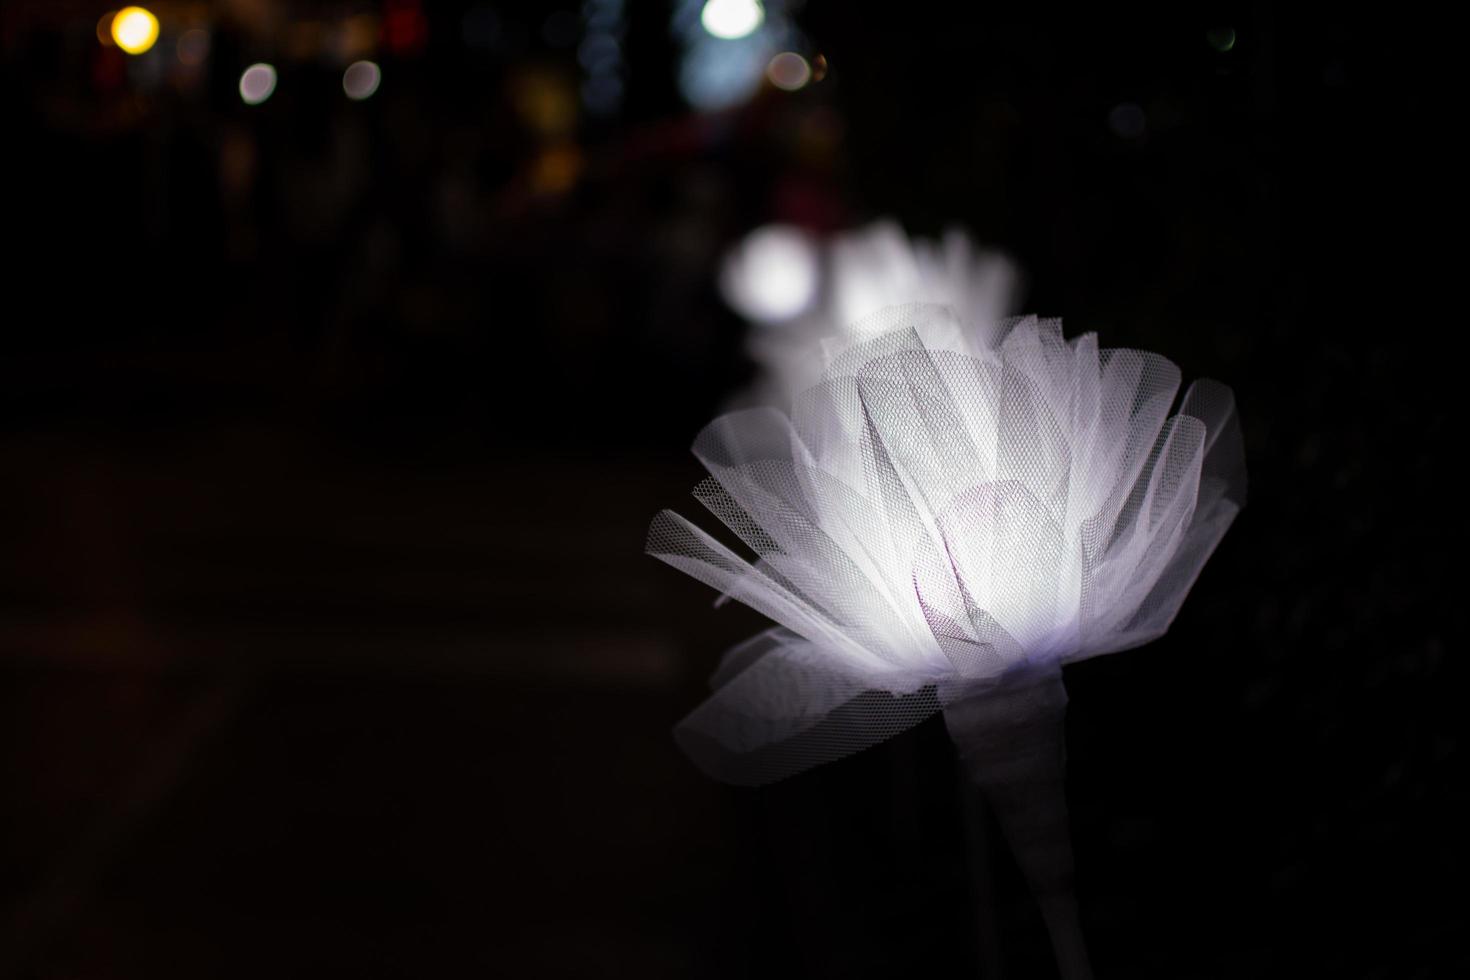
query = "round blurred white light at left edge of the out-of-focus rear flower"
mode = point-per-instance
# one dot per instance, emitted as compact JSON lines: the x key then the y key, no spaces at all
{"x":772,"y":275}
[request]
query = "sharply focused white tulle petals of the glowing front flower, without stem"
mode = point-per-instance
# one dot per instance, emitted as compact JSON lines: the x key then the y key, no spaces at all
{"x":936,"y":514}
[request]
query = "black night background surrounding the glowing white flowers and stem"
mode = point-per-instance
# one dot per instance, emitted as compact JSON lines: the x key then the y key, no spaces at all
{"x":331,"y":431}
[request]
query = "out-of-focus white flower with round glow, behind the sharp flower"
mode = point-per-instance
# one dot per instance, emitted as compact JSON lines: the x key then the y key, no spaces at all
{"x":805,"y":296}
